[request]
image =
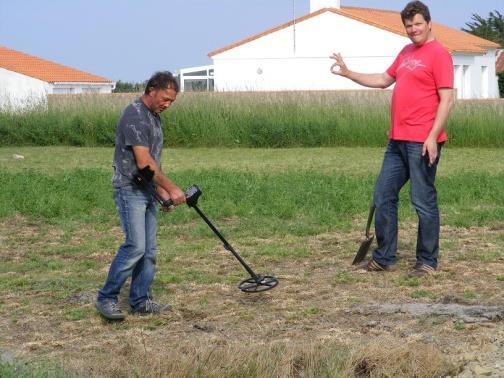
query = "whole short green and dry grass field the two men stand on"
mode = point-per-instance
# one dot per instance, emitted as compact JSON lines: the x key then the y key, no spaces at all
{"x":295,"y":213}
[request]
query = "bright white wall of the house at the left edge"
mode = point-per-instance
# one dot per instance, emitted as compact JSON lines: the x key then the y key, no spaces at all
{"x":18,"y":91}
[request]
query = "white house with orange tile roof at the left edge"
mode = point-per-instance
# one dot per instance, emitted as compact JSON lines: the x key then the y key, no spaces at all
{"x":26,"y":80}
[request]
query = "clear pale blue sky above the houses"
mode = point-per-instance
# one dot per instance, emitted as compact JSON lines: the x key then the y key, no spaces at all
{"x":129,"y":40}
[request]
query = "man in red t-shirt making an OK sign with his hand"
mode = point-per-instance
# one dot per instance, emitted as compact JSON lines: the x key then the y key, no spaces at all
{"x":421,"y":102}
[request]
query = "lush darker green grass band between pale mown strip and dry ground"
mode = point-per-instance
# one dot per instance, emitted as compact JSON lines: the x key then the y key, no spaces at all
{"x":292,"y":202}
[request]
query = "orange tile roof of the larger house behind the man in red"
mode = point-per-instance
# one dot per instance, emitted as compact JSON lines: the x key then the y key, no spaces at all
{"x":454,"y":40}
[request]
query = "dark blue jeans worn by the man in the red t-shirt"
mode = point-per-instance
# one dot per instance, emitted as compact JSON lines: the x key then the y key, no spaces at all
{"x":403,"y":161}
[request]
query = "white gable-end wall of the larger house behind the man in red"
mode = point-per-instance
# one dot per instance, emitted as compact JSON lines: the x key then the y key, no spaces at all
{"x":277,"y":62}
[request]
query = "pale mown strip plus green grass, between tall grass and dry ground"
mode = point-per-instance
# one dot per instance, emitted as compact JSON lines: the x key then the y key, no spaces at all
{"x":298,"y":199}
